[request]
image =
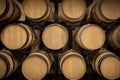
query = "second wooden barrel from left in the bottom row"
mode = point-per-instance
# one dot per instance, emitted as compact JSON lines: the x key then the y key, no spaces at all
{"x":36,"y":65}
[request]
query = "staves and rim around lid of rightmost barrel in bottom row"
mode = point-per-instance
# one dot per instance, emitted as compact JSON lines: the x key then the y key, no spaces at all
{"x":97,"y":60}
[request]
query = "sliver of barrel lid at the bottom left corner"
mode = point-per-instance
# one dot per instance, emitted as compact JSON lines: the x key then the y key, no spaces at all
{"x":3,"y":68}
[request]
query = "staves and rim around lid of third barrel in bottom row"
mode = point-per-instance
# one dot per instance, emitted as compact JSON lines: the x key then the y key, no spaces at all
{"x":68,"y":54}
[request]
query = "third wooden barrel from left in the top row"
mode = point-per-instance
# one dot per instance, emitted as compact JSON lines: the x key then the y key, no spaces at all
{"x":72,"y":10}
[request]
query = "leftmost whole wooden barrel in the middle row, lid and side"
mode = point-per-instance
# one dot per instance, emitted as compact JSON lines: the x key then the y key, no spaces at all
{"x":17,"y":36}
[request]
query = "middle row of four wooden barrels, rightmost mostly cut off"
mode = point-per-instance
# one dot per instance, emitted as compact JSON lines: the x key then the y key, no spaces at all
{"x":20,"y":36}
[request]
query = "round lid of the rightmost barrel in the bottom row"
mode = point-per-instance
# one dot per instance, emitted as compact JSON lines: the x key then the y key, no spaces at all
{"x":110,"y":67}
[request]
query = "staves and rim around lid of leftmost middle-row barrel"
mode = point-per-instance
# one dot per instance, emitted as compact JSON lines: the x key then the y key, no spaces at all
{"x":29,"y":33}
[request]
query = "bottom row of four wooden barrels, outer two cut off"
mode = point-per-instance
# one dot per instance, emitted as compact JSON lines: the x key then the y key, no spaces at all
{"x":71,"y":63}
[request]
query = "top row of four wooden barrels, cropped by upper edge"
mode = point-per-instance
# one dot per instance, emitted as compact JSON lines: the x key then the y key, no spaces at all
{"x":68,"y":10}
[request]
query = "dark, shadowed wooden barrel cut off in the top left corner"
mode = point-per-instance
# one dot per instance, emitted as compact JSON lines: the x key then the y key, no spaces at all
{"x":9,"y":10}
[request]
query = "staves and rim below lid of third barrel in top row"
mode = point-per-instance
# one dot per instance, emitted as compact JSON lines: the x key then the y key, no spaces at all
{"x":64,"y":17}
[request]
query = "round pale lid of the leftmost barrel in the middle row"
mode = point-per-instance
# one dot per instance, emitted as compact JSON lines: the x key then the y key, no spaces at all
{"x":14,"y":36}
